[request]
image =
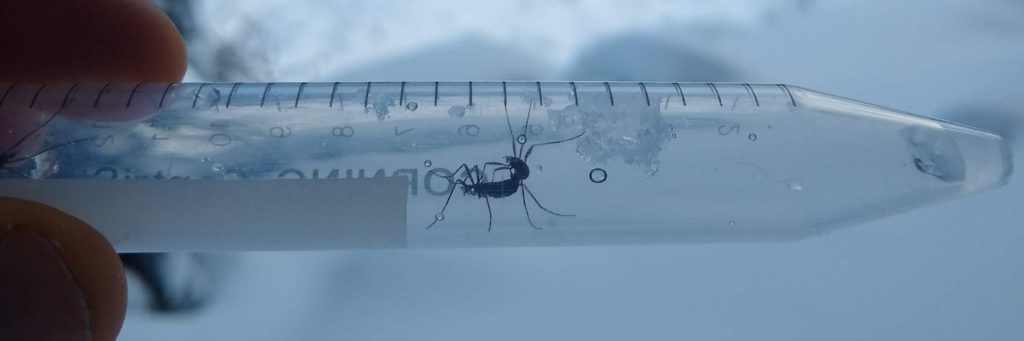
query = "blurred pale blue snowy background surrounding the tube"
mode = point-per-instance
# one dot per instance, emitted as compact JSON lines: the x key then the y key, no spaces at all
{"x":951,"y":272}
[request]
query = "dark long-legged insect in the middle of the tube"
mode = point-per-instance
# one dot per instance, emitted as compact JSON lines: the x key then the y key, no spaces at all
{"x":475,"y":184}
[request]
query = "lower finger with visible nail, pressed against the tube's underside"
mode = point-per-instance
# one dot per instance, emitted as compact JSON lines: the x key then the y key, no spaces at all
{"x":66,"y":276}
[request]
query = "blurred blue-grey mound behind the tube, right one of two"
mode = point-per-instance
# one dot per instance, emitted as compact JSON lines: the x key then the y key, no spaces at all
{"x":619,"y":60}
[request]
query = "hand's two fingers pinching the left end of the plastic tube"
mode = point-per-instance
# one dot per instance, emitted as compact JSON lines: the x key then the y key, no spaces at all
{"x":60,"y":279}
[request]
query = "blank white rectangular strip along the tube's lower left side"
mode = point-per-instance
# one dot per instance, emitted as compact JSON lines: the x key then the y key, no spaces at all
{"x":151,"y":216}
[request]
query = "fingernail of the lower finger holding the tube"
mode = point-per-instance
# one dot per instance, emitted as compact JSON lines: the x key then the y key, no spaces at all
{"x":39,"y":299}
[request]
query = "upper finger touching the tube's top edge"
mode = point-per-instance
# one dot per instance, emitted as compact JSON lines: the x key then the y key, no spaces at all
{"x":90,"y":41}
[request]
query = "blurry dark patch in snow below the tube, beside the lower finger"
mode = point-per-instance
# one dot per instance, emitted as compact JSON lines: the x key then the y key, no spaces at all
{"x":175,"y":281}
